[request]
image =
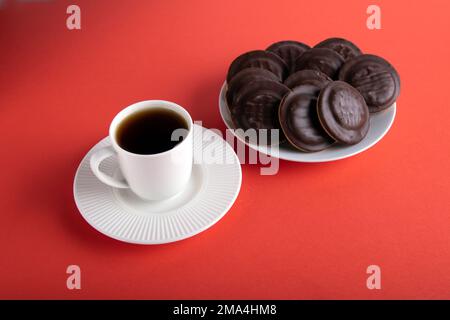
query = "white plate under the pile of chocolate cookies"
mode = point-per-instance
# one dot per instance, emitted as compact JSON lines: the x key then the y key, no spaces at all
{"x":380,"y":123}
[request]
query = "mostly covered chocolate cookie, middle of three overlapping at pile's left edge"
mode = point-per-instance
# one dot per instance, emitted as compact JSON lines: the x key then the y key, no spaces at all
{"x":243,"y":78}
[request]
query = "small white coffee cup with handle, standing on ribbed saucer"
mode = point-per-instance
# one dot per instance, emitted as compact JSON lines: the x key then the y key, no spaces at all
{"x":151,"y":176}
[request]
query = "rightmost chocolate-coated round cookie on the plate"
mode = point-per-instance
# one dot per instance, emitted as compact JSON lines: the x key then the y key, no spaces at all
{"x":375,"y":78}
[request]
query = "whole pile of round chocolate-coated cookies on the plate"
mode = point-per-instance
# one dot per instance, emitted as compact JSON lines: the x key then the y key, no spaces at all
{"x":317,"y":96}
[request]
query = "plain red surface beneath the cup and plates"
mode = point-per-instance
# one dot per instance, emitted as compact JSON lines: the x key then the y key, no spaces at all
{"x":308,"y":232}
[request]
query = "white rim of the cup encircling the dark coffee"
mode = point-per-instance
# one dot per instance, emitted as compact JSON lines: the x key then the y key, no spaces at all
{"x":148,"y":104}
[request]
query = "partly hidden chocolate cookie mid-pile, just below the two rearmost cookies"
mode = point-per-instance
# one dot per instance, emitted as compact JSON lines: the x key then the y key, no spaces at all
{"x":320,"y":59}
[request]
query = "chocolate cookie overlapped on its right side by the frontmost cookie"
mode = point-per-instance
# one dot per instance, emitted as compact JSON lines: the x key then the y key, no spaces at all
{"x":299,"y":120}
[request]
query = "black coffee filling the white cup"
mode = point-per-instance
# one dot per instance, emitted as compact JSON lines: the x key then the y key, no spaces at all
{"x":150,"y":131}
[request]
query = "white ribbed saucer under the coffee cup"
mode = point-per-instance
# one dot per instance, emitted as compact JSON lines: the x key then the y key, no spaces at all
{"x":121,"y":215}
